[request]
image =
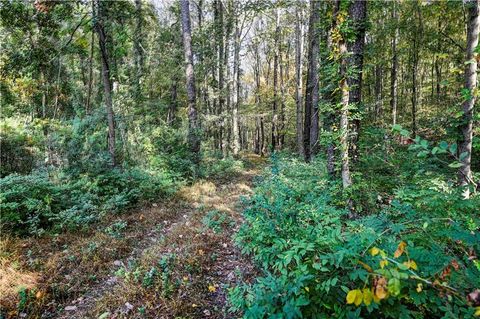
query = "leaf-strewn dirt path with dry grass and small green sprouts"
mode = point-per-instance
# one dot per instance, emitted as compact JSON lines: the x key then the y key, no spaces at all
{"x":172,"y":259}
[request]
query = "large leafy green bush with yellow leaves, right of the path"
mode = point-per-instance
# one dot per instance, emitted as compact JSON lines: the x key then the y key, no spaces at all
{"x":409,"y":260}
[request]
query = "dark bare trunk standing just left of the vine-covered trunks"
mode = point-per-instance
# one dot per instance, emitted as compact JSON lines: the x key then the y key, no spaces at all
{"x":311,"y":94}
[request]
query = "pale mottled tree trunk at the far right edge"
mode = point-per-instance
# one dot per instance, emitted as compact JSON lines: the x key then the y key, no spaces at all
{"x":473,"y":26}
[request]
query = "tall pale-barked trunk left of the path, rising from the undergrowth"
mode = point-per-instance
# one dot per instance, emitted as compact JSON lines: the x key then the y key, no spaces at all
{"x":193,"y":125}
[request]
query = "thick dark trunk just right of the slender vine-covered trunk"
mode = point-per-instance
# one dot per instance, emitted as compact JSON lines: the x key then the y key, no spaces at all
{"x":358,"y":16}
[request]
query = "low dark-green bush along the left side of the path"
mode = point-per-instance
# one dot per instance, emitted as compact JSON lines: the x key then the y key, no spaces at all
{"x":34,"y":203}
